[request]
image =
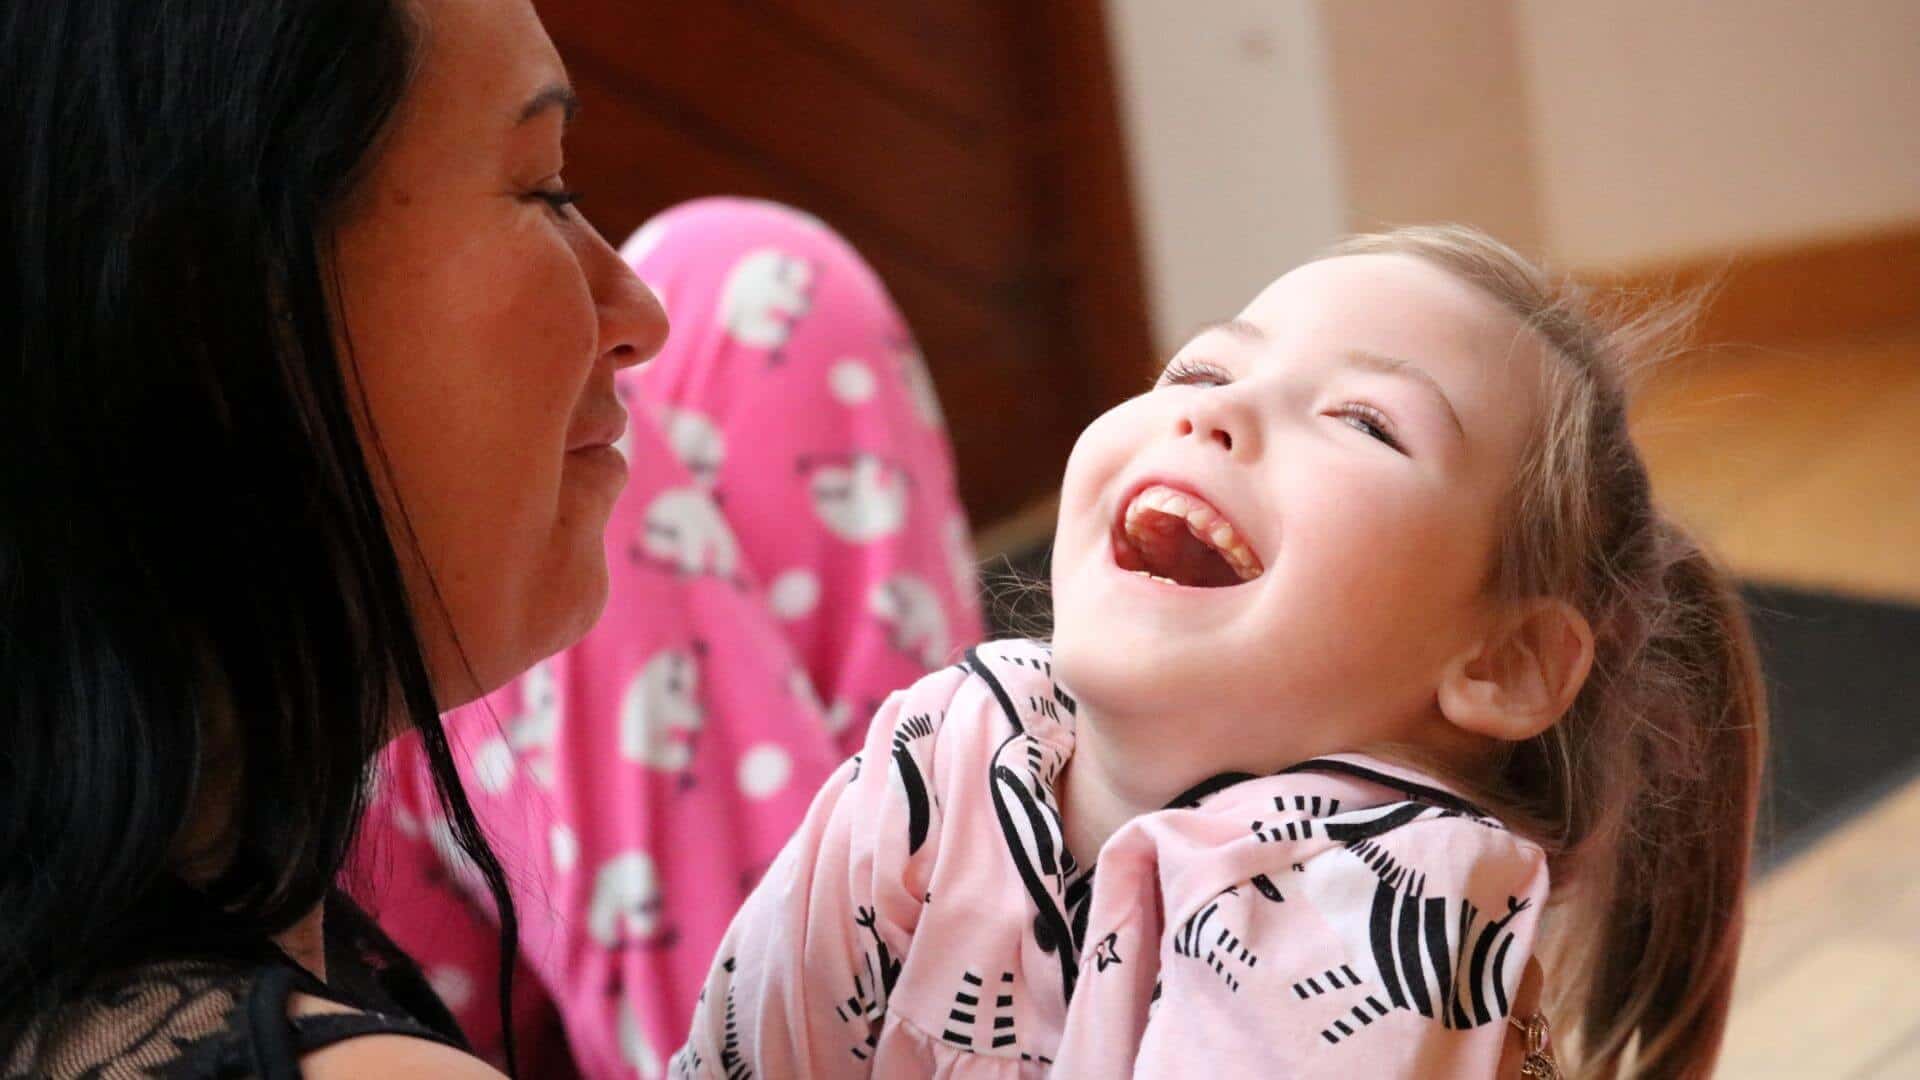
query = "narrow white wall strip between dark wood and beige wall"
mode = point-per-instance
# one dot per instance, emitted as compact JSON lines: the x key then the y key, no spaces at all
{"x":1234,"y":149}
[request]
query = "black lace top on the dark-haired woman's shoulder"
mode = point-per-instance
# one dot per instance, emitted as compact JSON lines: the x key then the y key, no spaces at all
{"x":222,"y":1019}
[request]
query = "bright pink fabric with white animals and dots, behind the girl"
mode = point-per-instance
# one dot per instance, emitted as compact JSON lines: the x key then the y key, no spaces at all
{"x":788,"y":551}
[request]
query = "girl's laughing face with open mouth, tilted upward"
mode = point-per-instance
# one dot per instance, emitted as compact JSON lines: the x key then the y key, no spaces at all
{"x":1345,"y":447}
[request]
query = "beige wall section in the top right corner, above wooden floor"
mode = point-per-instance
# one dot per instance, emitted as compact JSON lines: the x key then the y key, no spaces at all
{"x":1681,"y":128}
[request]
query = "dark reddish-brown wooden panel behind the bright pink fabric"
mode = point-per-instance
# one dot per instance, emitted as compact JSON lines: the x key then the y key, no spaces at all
{"x":971,"y":151}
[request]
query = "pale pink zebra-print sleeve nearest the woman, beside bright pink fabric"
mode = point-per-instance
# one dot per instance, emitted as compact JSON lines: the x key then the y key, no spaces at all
{"x":800,"y":985}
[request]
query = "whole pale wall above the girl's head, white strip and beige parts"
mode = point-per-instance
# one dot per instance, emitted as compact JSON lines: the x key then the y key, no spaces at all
{"x":1654,"y":130}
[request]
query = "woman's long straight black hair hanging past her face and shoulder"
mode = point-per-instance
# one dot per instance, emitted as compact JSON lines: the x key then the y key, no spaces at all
{"x":199,"y":589}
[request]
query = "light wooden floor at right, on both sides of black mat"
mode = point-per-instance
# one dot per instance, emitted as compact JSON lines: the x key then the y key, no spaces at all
{"x":1804,"y":468}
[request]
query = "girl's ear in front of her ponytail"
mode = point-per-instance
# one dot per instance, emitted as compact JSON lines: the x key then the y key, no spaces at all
{"x":1524,"y":675}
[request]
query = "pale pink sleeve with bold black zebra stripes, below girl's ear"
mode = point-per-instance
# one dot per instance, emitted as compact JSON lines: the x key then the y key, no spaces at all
{"x":1389,"y":958}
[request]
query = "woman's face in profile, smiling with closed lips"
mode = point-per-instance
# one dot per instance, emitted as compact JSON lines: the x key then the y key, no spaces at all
{"x":485,"y":320}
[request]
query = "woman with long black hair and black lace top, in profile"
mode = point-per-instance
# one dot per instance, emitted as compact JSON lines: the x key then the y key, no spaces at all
{"x":306,"y":405}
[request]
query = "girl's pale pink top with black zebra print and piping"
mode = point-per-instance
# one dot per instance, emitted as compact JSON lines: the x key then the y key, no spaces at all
{"x":1339,"y":920}
